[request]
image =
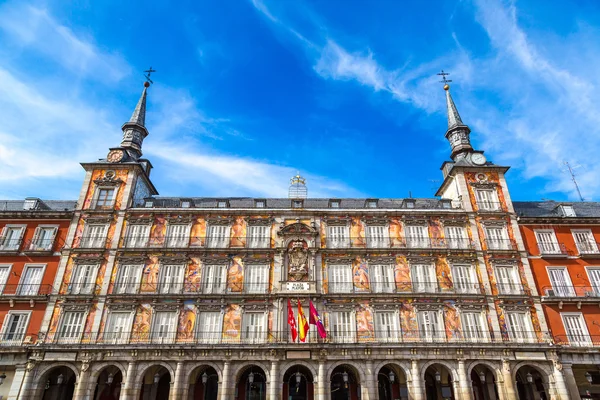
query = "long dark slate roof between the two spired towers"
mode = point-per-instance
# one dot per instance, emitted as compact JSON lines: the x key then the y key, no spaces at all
{"x":286,"y":203}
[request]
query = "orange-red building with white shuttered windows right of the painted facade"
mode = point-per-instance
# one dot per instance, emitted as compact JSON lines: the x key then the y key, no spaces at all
{"x":562,"y":242}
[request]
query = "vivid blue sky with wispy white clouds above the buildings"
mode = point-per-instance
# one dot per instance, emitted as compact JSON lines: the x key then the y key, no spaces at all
{"x":248,"y":92}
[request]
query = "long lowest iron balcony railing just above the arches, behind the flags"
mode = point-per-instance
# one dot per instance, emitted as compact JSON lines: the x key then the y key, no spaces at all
{"x":227,"y":337}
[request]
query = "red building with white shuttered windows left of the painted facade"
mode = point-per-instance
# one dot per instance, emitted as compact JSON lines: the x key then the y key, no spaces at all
{"x":32,"y":235}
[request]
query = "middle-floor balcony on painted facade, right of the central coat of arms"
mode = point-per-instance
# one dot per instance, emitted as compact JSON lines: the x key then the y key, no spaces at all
{"x":374,"y":287}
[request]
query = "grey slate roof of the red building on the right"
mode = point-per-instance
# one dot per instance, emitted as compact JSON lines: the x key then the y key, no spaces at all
{"x":550,"y":209}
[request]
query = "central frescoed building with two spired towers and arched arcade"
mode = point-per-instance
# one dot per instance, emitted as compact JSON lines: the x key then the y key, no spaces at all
{"x":187,"y":298}
